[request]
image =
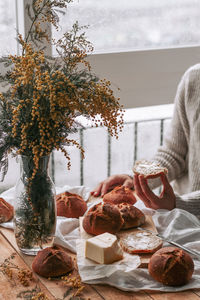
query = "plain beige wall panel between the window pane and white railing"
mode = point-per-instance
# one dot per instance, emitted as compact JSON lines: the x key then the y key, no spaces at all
{"x":145,"y":77}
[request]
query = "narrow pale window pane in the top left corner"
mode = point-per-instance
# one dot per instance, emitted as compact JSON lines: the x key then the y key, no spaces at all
{"x":8,"y":43}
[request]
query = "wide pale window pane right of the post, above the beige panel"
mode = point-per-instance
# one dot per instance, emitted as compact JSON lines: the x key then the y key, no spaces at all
{"x":125,"y":25}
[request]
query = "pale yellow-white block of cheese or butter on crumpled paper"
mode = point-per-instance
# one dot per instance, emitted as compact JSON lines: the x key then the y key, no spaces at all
{"x":103,"y":249}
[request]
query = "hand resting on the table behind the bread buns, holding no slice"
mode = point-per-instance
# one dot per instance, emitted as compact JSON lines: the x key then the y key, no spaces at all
{"x":111,"y":182}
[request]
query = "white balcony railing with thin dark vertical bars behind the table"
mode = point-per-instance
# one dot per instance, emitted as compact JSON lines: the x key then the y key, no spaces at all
{"x":143,"y":133}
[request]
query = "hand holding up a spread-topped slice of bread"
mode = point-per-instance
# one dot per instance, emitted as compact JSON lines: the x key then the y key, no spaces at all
{"x":167,"y":198}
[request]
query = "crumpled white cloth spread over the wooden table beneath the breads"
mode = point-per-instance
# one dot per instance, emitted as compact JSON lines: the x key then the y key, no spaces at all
{"x":178,"y":225}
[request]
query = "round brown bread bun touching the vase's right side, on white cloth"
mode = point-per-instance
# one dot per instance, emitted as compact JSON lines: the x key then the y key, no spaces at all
{"x":70,"y":205}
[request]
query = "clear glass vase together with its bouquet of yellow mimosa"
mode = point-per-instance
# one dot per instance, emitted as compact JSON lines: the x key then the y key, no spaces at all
{"x":39,"y":110}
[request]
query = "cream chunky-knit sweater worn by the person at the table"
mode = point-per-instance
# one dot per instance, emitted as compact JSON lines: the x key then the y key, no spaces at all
{"x":180,"y":152}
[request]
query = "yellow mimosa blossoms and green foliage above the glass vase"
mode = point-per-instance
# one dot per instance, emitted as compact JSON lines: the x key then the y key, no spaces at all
{"x":45,"y":94}
